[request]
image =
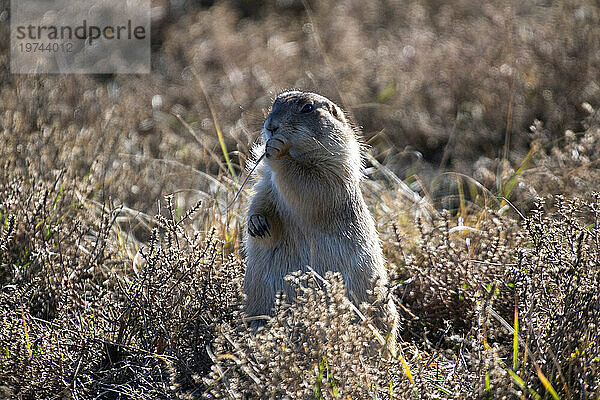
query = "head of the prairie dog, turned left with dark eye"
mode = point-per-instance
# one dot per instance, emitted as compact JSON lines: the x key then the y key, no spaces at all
{"x":313,"y":125}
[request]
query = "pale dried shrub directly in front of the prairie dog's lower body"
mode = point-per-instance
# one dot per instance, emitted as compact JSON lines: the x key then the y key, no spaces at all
{"x":313,"y":348}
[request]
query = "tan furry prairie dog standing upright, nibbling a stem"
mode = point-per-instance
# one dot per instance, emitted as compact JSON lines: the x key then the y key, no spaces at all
{"x":307,"y":207}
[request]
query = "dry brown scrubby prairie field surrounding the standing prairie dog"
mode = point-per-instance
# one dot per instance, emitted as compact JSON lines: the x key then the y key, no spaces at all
{"x":121,"y":255}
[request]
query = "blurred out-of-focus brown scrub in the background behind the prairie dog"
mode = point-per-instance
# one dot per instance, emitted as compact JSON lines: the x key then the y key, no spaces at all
{"x":459,"y":101}
